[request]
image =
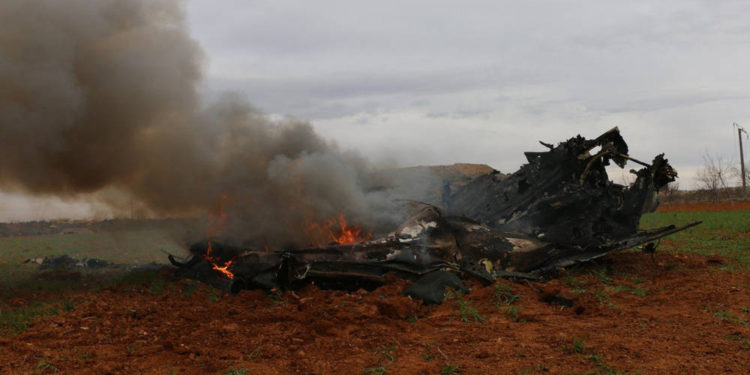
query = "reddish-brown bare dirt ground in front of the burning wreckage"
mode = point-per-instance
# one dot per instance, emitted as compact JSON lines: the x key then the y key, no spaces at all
{"x":631,"y":313}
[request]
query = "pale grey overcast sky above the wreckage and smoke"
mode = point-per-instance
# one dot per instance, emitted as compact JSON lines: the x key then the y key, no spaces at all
{"x":438,"y":82}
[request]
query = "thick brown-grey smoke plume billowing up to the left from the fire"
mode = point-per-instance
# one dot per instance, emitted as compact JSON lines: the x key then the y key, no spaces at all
{"x":101,"y":96}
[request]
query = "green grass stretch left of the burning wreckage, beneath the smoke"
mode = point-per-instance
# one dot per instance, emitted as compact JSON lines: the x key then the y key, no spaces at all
{"x":124,"y":246}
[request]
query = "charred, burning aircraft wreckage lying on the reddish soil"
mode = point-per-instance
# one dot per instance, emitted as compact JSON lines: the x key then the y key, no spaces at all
{"x":557,"y":210}
